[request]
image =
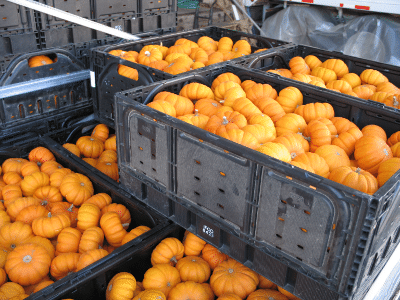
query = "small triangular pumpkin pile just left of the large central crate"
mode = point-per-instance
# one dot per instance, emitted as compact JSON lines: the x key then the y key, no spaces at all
{"x":99,"y":150}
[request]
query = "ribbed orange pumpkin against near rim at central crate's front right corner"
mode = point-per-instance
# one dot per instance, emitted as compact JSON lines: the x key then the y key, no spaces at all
{"x":355,"y":178}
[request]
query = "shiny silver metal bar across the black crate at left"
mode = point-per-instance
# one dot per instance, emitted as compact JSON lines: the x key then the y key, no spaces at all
{"x":43,"y":83}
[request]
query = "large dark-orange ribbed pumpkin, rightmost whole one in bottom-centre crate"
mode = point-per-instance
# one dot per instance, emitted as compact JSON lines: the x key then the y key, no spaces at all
{"x":233,"y":277}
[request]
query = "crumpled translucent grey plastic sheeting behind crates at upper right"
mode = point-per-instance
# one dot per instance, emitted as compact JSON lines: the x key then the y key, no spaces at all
{"x":371,"y":37}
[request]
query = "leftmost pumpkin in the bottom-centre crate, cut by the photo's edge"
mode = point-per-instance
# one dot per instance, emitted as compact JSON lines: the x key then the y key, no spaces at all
{"x":121,"y":287}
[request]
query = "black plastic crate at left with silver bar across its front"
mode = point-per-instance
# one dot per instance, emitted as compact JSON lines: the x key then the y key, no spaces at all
{"x":41,"y":98}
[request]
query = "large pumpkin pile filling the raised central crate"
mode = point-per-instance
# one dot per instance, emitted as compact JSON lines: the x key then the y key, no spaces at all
{"x":308,"y":136}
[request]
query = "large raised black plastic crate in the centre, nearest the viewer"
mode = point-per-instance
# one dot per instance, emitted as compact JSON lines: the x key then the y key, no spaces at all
{"x":350,"y":234}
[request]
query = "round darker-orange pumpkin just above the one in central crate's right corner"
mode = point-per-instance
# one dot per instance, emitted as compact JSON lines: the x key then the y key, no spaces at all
{"x":370,"y":151}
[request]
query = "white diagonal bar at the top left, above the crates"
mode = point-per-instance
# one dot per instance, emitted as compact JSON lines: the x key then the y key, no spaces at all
{"x":74,"y":19}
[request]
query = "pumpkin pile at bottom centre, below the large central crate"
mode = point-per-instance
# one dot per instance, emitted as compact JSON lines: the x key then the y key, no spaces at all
{"x":193,"y":269}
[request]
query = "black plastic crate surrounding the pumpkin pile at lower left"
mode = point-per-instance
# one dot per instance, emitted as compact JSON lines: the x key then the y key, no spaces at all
{"x":140,"y":215}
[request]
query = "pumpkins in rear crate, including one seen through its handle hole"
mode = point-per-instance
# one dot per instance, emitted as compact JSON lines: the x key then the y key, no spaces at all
{"x":184,"y":55}
